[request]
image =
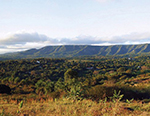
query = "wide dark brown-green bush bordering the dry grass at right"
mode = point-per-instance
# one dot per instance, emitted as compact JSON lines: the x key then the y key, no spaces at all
{"x":100,"y":92}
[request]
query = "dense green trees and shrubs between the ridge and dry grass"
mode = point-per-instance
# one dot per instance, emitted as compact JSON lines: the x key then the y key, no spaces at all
{"x":94,"y":78}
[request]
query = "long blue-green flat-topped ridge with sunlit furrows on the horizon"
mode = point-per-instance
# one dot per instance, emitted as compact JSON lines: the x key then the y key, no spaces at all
{"x":81,"y":50}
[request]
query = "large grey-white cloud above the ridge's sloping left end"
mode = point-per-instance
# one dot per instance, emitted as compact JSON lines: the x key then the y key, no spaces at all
{"x":23,"y":40}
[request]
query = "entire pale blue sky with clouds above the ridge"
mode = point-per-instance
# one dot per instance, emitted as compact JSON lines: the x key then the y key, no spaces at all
{"x":26,"y":24}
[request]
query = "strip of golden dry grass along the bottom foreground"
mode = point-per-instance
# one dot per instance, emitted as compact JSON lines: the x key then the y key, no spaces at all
{"x":68,"y":107}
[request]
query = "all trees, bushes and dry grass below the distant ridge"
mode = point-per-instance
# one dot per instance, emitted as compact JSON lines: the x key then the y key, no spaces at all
{"x":90,"y":86}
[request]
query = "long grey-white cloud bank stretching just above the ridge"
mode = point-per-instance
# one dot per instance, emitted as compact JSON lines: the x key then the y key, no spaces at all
{"x":23,"y":41}
